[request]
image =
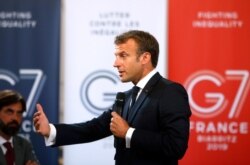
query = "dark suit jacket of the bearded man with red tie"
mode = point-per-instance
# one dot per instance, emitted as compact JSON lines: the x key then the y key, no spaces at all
{"x":23,"y":152}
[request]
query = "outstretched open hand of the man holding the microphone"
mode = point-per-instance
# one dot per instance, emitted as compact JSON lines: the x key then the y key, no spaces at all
{"x":41,"y":122}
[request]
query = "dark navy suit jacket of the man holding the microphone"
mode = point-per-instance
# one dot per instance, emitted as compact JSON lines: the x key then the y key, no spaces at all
{"x":160,"y":117}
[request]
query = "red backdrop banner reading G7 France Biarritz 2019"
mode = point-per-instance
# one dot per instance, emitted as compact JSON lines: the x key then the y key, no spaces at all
{"x":209,"y":53}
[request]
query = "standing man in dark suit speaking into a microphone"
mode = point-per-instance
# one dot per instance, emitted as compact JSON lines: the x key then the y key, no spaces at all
{"x":154,"y":131}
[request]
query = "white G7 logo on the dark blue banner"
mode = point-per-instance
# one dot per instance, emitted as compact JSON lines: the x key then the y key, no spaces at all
{"x":39,"y":80}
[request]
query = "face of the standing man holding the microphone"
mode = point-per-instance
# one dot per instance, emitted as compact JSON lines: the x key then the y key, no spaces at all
{"x":127,"y":61}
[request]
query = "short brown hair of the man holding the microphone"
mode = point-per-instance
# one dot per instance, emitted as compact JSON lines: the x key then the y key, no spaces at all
{"x":146,"y":43}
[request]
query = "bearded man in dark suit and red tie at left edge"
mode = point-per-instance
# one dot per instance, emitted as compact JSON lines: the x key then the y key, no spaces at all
{"x":12,"y":106}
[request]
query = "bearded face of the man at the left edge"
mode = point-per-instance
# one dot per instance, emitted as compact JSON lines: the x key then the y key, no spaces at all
{"x":10,"y":119}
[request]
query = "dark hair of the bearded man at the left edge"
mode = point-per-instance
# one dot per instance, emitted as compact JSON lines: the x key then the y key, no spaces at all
{"x":8,"y":97}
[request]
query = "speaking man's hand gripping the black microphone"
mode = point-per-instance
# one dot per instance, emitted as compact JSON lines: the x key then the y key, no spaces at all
{"x":118,"y":125}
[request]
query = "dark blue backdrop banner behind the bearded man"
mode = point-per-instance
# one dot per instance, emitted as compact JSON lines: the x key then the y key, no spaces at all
{"x":29,"y":62}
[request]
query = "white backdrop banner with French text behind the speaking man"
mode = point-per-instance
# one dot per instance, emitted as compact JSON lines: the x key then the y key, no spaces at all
{"x":91,"y":82}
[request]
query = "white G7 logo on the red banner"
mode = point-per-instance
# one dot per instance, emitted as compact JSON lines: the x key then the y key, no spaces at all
{"x":216,"y":102}
